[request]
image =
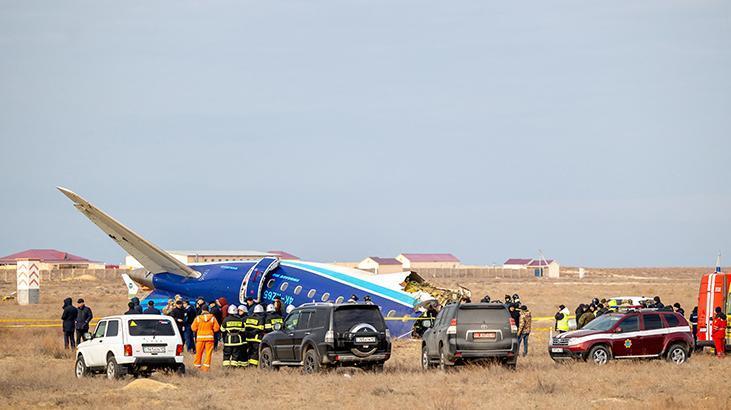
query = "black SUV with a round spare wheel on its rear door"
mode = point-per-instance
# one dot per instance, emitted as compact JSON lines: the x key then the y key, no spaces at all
{"x":320,"y":335}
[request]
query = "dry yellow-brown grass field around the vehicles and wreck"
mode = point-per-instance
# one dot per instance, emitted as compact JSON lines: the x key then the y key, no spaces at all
{"x":36,"y":372}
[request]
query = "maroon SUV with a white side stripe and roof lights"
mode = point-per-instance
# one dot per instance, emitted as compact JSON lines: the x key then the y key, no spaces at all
{"x":641,"y":334}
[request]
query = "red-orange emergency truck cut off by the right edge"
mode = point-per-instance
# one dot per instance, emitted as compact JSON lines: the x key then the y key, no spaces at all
{"x":713,"y":293}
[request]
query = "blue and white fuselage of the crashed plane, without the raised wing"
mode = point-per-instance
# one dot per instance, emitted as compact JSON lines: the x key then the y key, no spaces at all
{"x":295,"y":282}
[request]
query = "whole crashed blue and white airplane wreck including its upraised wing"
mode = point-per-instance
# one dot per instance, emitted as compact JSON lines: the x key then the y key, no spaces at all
{"x":295,"y":282}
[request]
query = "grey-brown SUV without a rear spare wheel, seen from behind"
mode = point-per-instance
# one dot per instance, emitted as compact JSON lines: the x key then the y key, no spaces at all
{"x":470,"y":332}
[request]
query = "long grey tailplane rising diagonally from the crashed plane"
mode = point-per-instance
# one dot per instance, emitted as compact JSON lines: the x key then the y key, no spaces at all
{"x":154,"y":259}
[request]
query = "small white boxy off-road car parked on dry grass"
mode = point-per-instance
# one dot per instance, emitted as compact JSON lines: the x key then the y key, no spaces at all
{"x":131,"y":344}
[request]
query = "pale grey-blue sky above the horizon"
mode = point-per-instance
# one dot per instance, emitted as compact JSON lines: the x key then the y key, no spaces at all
{"x":599,"y":132}
